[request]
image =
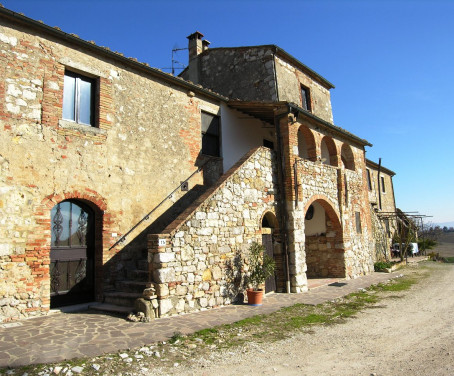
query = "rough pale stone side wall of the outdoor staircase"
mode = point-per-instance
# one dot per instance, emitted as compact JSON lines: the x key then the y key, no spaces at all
{"x":201,"y":264}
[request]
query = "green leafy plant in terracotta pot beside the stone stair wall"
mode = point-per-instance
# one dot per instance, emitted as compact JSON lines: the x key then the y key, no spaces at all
{"x":261,"y":266}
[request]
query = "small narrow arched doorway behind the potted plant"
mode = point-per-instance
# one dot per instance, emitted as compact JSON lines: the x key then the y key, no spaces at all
{"x":272,"y":243}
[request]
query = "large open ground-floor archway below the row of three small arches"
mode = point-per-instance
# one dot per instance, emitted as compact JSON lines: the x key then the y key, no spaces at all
{"x":323,"y":242}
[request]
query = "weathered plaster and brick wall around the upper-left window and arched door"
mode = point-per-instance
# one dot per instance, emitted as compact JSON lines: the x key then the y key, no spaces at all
{"x":146,"y":140}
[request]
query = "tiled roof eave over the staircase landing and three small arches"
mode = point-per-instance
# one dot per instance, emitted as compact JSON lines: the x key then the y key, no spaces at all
{"x":266,"y":111}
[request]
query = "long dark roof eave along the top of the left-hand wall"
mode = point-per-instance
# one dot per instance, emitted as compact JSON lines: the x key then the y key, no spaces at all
{"x":105,"y":52}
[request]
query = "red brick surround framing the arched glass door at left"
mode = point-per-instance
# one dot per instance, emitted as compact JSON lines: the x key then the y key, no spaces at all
{"x":37,"y":251}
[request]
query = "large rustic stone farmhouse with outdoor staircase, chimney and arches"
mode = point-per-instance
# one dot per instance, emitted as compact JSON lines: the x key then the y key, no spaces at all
{"x":123,"y":185}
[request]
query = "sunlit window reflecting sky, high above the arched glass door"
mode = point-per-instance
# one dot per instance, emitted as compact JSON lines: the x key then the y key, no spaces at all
{"x":78,"y":98}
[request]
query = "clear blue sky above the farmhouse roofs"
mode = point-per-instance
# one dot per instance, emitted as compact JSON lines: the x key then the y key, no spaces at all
{"x":392,"y":63}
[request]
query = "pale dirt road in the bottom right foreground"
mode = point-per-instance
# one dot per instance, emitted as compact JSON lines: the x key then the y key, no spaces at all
{"x":410,"y":334}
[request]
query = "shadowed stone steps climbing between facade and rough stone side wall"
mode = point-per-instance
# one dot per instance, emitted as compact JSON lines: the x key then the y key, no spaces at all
{"x":130,"y":285}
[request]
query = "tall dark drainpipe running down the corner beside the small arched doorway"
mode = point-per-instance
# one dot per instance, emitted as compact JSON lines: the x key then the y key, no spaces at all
{"x":283,"y":213}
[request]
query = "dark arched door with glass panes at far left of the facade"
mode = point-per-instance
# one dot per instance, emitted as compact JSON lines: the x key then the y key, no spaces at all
{"x":72,"y":254}
